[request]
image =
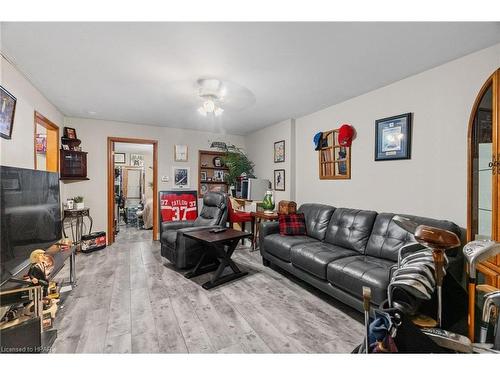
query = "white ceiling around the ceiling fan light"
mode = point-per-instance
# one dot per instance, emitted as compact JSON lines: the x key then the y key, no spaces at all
{"x":145,"y":72}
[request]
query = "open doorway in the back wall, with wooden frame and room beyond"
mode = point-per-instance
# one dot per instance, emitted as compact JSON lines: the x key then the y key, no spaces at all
{"x":132,"y":187}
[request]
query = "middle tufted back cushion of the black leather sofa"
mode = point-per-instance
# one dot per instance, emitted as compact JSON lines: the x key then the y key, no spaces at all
{"x":350,"y":228}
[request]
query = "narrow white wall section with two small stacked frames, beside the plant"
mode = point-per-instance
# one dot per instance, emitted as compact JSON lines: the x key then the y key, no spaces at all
{"x":260,"y":148}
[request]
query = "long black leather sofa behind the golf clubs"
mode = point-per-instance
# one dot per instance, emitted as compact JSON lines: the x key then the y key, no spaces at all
{"x":344,"y":250}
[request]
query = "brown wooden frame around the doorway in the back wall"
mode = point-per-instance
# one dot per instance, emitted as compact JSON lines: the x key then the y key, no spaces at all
{"x":111,"y":179}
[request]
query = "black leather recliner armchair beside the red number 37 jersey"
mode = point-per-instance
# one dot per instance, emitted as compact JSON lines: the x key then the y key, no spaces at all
{"x":184,"y":252}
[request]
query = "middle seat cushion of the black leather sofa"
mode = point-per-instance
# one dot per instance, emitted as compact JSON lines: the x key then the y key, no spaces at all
{"x":314,"y":257}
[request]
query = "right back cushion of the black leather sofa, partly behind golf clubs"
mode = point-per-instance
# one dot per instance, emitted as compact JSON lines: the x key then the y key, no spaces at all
{"x":387,"y":237}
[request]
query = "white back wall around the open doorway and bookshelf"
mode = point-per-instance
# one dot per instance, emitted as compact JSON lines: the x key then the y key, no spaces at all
{"x":94,"y":134}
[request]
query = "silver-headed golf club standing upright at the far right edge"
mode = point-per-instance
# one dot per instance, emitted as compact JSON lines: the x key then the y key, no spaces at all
{"x":476,"y":252}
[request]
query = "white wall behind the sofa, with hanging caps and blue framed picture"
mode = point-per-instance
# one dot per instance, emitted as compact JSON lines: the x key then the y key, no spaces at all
{"x":433,"y":183}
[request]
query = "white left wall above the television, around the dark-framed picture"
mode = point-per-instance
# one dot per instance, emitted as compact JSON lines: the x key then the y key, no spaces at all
{"x":19,"y":151}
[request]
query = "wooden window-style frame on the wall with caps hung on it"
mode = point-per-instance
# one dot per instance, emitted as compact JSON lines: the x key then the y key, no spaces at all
{"x":334,"y":159}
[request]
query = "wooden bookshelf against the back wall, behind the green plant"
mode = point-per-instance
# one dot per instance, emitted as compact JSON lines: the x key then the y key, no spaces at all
{"x":207,"y":168}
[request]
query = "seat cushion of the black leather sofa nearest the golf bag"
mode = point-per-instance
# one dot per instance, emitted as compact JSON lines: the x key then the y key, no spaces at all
{"x":353,"y":273}
